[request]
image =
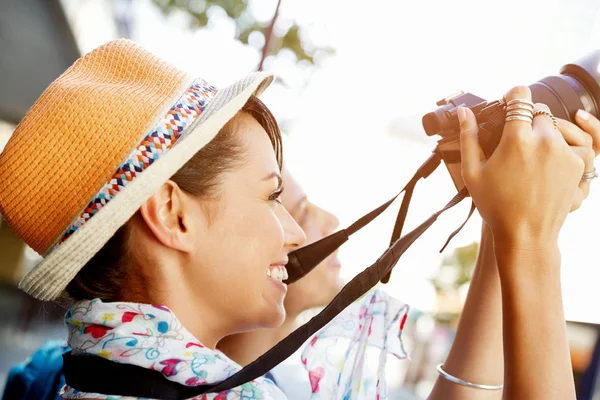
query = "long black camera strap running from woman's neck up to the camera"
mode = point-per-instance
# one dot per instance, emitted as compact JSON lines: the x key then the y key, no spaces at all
{"x":108,"y":377}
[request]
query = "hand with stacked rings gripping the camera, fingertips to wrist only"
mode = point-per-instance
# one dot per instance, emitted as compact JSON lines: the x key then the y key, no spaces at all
{"x":525,"y":190}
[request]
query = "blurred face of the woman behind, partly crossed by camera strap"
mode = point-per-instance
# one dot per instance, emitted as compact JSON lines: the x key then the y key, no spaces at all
{"x":323,"y":283}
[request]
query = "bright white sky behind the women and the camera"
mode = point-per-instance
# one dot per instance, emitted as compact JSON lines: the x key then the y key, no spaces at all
{"x":355,"y":139}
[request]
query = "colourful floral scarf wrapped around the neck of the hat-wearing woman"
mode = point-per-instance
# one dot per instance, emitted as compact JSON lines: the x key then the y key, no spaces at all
{"x":151,"y":336}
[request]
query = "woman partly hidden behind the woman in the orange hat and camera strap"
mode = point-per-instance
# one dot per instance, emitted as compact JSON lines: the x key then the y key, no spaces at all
{"x":299,"y":377}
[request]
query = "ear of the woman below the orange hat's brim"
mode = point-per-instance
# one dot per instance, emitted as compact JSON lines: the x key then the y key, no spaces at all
{"x":164,"y":214}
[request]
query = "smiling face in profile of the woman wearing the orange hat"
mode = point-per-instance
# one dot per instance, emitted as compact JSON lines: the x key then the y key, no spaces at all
{"x":244,"y":239}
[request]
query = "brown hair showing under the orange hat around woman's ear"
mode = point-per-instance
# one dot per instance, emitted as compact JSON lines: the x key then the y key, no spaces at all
{"x":105,"y":275}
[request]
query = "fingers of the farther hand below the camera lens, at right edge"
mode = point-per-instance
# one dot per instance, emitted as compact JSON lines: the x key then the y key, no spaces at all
{"x":585,"y":142}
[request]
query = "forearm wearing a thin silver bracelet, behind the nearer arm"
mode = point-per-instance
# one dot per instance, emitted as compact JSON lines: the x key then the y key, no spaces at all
{"x":476,"y":354}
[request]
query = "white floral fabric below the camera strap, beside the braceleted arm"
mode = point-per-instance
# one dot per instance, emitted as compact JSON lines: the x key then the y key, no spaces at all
{"x":347,"y":358}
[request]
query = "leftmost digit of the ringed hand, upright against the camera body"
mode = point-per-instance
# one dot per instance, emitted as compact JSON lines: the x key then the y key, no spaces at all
{"x":471,"y":152}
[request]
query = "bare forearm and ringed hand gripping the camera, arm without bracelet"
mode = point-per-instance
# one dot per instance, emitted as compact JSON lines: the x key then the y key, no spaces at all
{"x":524,"y":191}
